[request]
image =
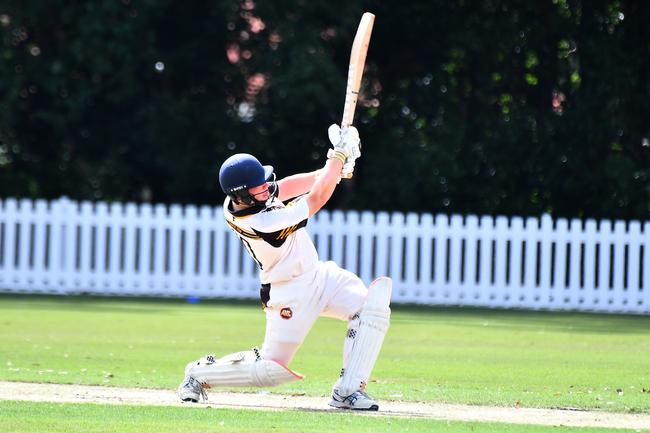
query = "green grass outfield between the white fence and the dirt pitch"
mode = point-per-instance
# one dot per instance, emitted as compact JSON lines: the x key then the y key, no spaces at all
{"x":488,"y":357}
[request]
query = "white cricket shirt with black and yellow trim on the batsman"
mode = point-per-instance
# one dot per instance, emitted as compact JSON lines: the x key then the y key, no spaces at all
{"x":275,"y":237}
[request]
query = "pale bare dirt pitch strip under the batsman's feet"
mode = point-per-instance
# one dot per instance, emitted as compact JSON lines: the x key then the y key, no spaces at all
{"x":266,"y":401}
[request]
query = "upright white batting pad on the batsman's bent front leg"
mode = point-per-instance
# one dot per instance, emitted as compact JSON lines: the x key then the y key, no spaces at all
{"x":374,"y":321}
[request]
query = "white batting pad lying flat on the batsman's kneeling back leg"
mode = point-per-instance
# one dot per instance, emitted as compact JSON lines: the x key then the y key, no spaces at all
{"x":240,"y":369}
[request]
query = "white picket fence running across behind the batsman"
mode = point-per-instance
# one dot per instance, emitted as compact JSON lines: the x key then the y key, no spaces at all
{"x":66,"y":247}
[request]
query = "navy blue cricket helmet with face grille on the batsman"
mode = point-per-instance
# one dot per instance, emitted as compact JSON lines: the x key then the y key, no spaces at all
{"x":241,"y":172}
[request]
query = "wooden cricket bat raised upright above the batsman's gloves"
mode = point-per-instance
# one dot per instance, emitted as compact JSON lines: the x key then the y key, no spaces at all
{"x":355,"y":70}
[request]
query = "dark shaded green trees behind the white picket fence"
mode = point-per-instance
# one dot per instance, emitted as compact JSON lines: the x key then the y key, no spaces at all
{"x":485,"y":107}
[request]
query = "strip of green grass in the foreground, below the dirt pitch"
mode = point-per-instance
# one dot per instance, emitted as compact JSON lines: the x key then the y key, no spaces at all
{"x":66,"y":418}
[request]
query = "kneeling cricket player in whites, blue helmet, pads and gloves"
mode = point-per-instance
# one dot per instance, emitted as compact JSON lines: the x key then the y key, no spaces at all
{"x":270,"y":218}
